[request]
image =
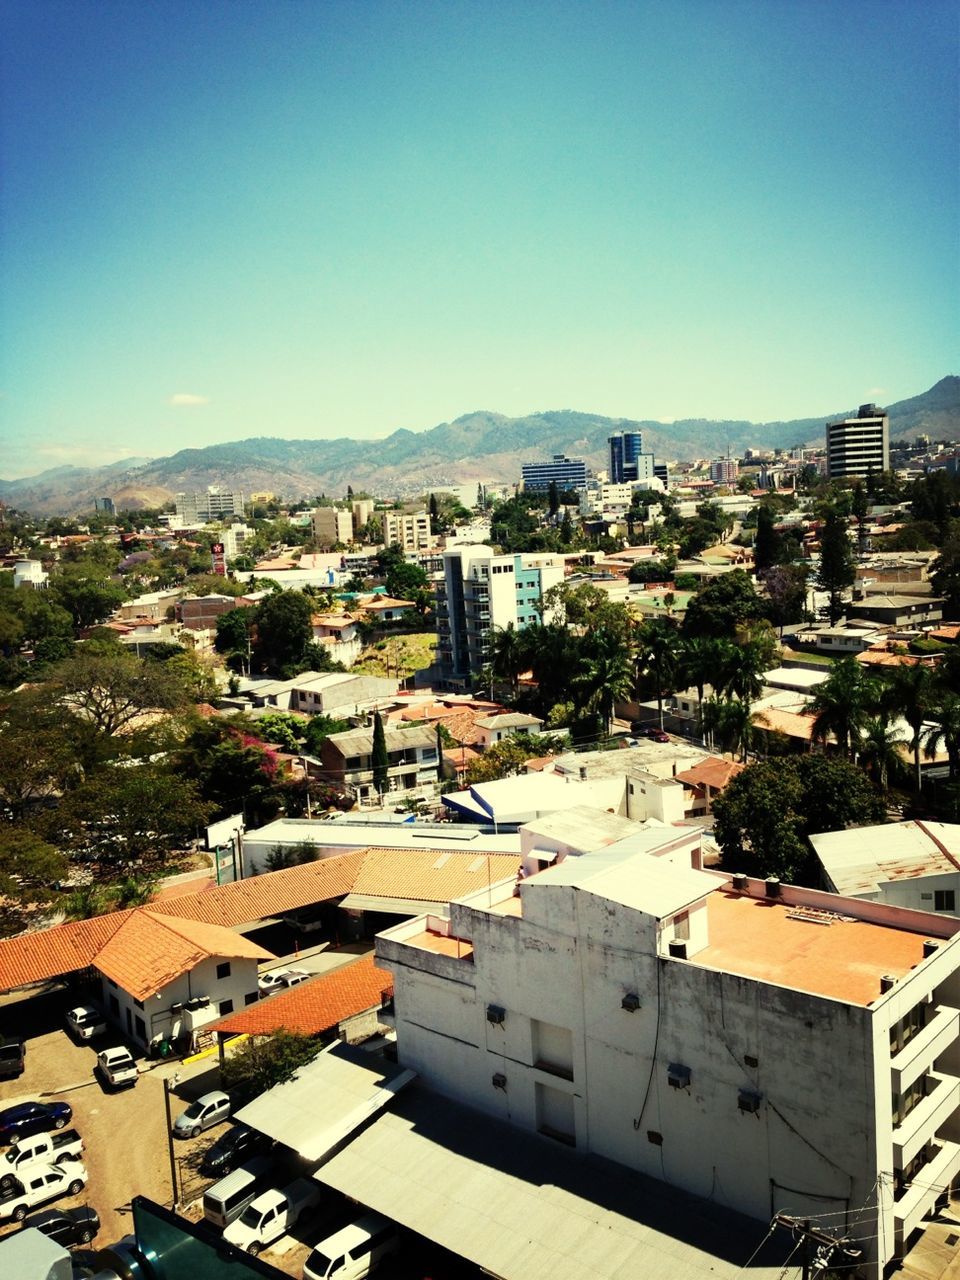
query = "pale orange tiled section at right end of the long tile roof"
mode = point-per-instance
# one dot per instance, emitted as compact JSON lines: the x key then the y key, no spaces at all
{"x":429,"y":876}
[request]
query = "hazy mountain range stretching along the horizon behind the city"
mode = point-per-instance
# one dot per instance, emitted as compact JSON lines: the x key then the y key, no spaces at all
{"x":481,"y":446}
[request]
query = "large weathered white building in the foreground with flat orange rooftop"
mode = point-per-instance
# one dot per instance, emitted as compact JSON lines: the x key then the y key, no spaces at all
{"x":760,"y":1045}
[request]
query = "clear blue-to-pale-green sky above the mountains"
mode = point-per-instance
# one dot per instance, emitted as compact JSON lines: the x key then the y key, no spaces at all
{"x":310,"y":220}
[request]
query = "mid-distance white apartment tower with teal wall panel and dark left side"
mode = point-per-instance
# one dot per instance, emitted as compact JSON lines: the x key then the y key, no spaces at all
{"x":482,"y":592}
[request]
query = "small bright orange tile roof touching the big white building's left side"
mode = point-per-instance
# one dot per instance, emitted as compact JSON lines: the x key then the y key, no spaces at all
{"x":316,"y":1007}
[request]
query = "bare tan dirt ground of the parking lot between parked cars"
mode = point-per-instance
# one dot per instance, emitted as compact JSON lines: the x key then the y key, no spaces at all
{"x":125,"y":1133}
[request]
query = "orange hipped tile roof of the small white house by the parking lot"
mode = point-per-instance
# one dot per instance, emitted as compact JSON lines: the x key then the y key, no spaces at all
{"x":150,"y":950}
